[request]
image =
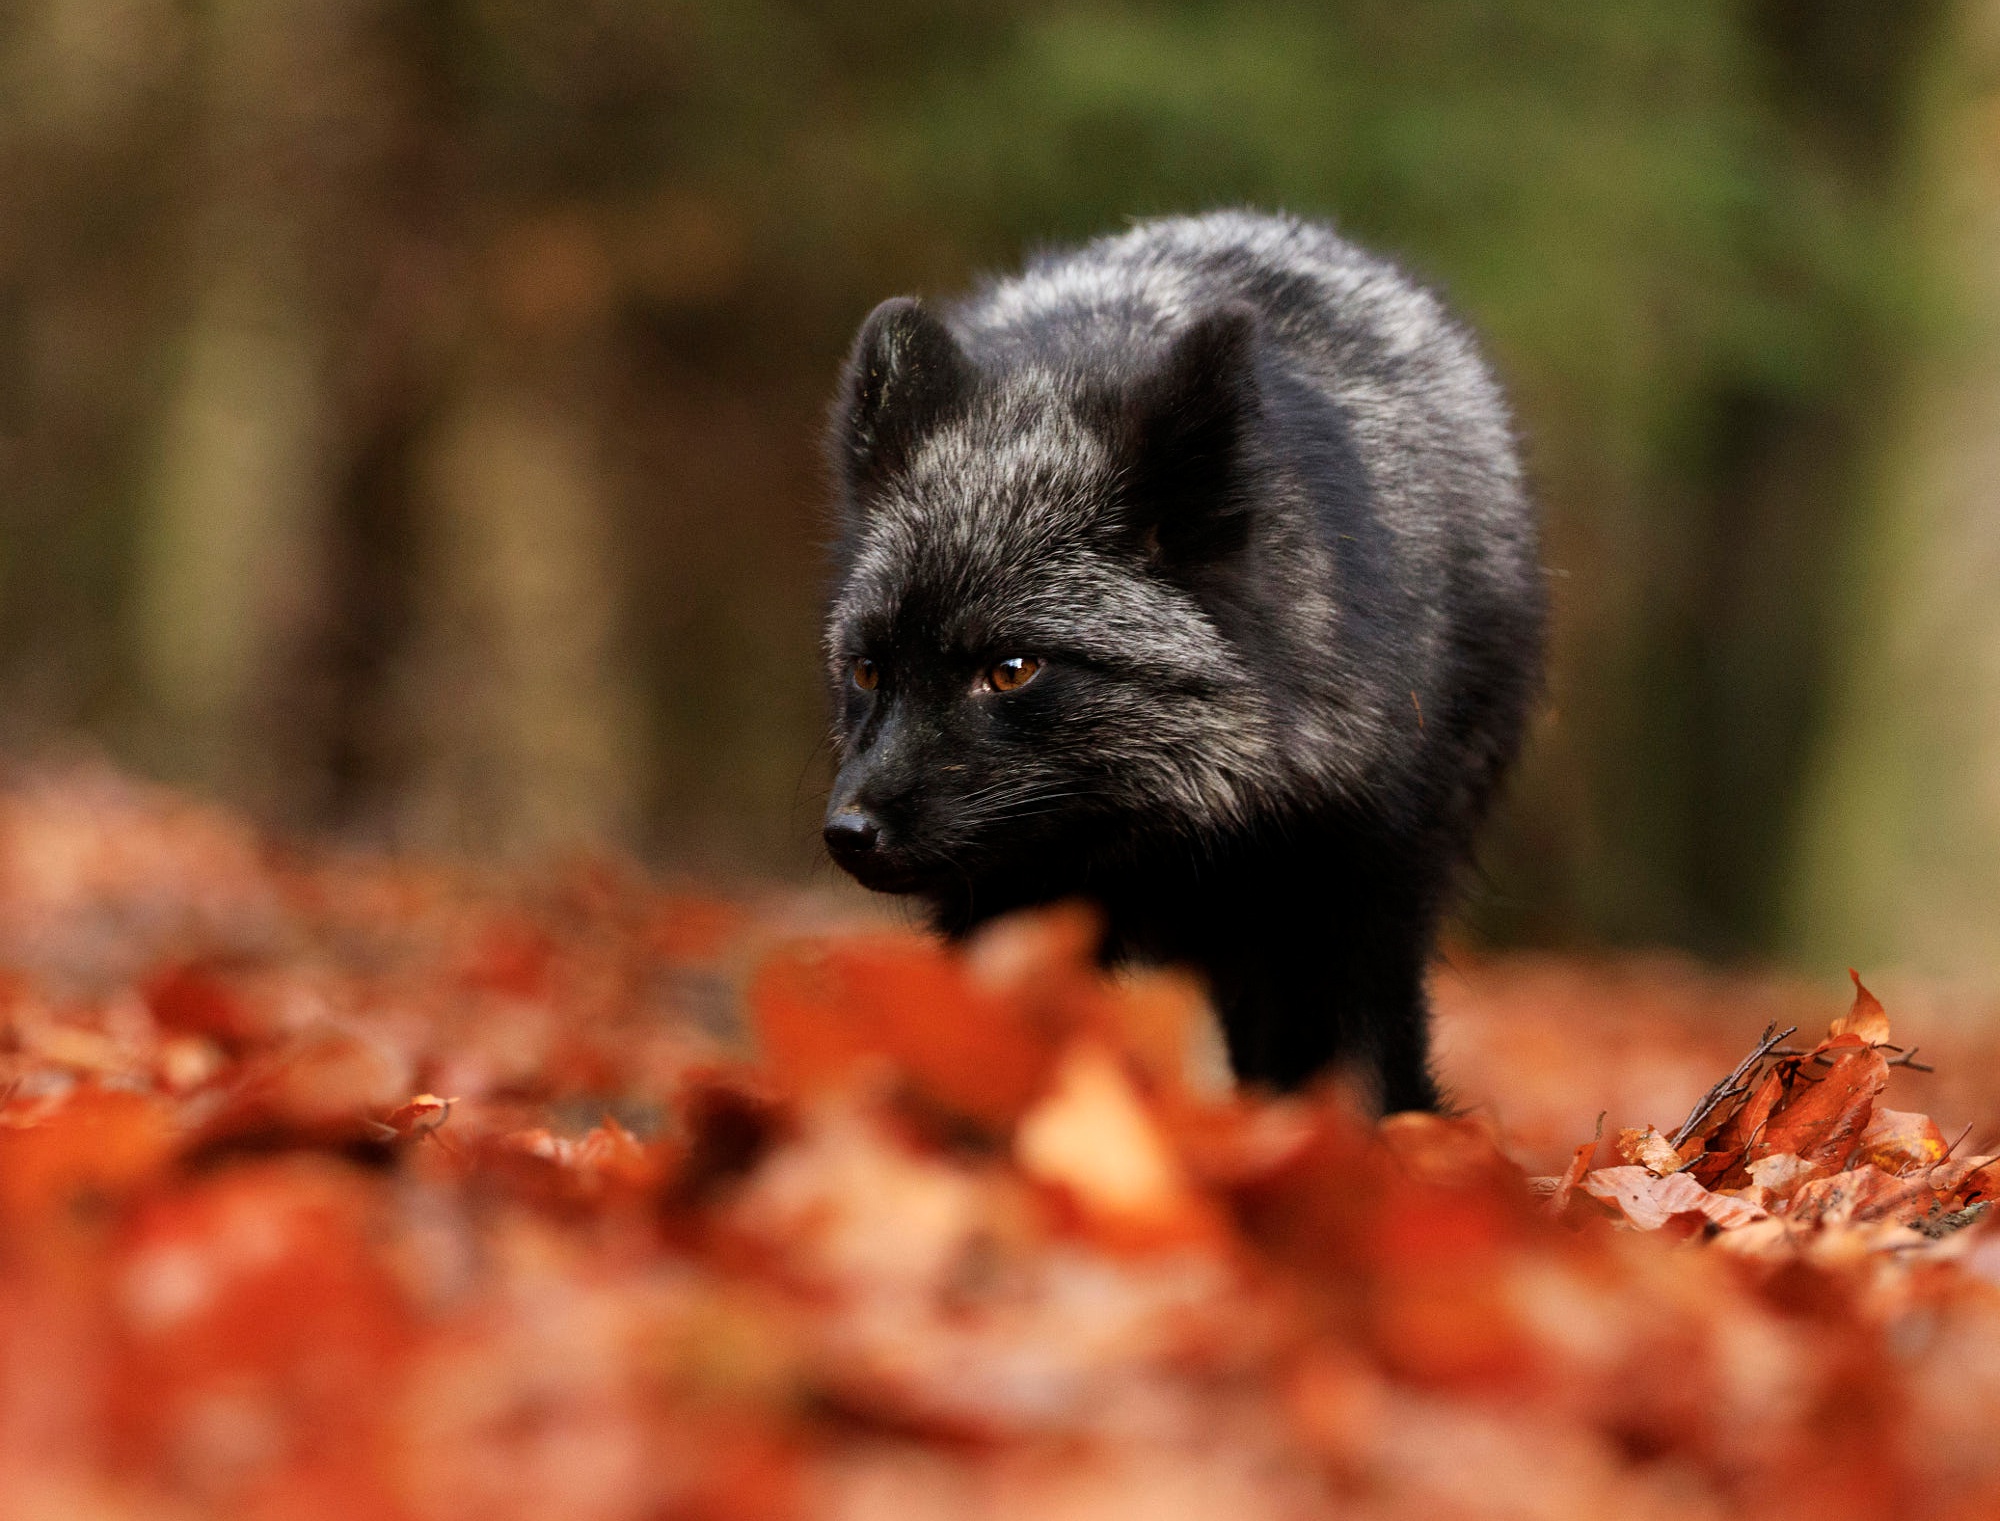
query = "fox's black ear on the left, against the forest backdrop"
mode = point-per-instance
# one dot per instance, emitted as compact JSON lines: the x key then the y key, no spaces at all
{"x":905,"y":375}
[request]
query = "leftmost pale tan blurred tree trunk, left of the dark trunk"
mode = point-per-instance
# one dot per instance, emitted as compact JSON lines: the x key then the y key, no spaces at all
{"x":235,"y":515}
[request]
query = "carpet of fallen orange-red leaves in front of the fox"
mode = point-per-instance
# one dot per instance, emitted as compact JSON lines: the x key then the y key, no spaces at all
{"x":353,"y":1190}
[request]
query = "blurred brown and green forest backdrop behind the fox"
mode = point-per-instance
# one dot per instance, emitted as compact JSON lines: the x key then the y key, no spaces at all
{"x":409,"y":409}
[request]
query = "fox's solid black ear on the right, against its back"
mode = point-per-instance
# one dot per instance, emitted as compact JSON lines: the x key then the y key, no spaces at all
{"x":1187,"y":427}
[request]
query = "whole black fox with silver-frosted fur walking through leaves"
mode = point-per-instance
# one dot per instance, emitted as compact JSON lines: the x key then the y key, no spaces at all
{"x":1189,"y":573}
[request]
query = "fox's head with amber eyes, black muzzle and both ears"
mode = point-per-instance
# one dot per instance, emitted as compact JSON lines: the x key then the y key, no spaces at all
{"x":1037,"y":643}
